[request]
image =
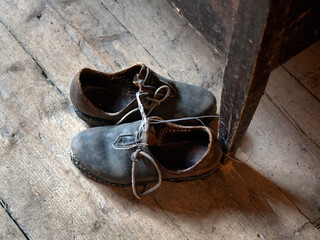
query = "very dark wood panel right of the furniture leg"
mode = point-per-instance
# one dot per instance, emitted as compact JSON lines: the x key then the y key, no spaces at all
{"x":292,"y":26}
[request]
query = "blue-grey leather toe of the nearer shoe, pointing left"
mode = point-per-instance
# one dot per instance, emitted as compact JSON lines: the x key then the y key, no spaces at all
{"x":92,"y":152}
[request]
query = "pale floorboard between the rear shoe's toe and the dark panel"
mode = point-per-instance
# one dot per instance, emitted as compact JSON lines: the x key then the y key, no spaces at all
{"x":178,"y":49}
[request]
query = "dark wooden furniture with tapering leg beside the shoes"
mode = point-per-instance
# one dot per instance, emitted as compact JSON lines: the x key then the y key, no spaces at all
{"x":255,"y":36}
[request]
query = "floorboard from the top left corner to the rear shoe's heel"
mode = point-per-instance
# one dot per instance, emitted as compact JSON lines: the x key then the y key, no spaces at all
{"x":40,"y":34}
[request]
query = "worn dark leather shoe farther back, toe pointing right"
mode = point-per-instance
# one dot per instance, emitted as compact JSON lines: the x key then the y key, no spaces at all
{"x":104,"y":99}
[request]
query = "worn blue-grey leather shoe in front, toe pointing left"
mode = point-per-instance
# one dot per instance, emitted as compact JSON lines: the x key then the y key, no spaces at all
{"x":141,"y":152}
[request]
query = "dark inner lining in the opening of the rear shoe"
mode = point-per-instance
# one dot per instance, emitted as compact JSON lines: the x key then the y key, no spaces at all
{"x":110,"y":93}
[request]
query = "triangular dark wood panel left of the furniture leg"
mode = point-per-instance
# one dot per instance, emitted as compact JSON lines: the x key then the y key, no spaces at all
{"x":213,"y":19}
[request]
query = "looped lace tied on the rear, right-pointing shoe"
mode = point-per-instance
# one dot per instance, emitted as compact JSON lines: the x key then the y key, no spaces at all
{"x":156,"y":100}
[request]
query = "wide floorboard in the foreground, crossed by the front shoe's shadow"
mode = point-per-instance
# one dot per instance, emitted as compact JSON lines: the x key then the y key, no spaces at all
{"x":49,"y":185}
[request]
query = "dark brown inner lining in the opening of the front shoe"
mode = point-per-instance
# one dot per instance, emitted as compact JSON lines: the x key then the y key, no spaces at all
{"x":178,"y":149}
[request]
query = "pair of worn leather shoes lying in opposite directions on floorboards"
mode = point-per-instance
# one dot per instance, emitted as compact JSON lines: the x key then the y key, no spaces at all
{"x":133,"y":144}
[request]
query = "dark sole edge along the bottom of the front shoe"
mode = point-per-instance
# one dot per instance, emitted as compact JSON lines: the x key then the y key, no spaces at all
{"x":88,"y":174}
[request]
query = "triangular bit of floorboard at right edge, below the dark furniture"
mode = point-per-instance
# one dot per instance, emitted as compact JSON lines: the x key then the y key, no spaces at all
{"x":305,"y":67}
